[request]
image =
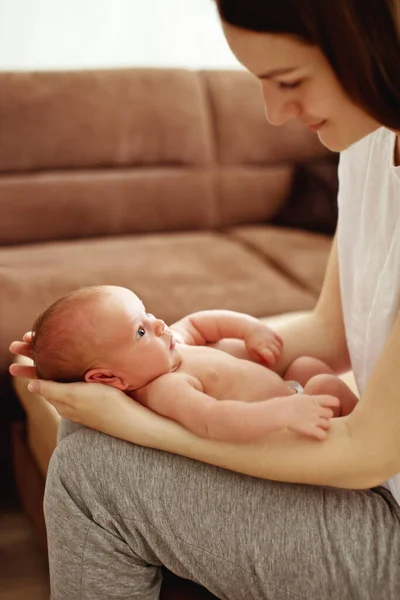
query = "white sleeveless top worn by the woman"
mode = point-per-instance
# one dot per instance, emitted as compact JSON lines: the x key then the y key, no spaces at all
{"x":369,"y":252}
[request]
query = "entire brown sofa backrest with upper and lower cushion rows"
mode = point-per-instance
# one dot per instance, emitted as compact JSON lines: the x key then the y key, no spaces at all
{"x":110,"y":152}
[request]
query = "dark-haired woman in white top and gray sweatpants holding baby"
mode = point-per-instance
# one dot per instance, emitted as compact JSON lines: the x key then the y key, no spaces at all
{"x":116,"y":511}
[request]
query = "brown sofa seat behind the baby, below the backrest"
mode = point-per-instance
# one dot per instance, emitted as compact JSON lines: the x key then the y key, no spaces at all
{"x":173,"y":273}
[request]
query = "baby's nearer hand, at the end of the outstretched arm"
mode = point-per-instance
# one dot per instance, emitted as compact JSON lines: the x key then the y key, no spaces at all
{"x":310,"y":415}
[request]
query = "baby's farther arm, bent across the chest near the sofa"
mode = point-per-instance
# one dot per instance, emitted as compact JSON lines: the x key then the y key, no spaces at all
{"x":211,"y":326}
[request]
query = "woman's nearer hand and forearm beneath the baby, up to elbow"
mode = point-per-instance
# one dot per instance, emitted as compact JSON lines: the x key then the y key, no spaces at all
{"x":282,"y":456}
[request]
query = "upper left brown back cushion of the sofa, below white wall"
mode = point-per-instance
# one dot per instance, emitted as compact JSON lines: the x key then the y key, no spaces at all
{"x":91,"y":119}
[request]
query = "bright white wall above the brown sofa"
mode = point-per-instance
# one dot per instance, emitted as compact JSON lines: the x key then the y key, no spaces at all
{"x":64,"y":34}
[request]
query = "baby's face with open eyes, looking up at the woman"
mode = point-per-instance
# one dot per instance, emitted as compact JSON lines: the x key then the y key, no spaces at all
{"x":140,"y":347}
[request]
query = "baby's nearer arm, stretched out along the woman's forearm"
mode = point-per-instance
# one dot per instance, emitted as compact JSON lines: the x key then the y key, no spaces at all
{"x":180,"y":397}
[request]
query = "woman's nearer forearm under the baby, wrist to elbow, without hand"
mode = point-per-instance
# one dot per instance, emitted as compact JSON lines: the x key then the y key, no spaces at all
{"x":281,"y":456}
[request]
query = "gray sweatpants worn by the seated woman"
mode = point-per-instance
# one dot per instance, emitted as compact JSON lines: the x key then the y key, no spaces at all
{"x":115,"y":512}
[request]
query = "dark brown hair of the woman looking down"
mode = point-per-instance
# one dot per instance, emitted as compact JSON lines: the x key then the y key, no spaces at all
{"x":360,"y":38}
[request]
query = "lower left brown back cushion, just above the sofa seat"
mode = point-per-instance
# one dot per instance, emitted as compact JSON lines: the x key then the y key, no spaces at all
{"x":47,"y":206}
